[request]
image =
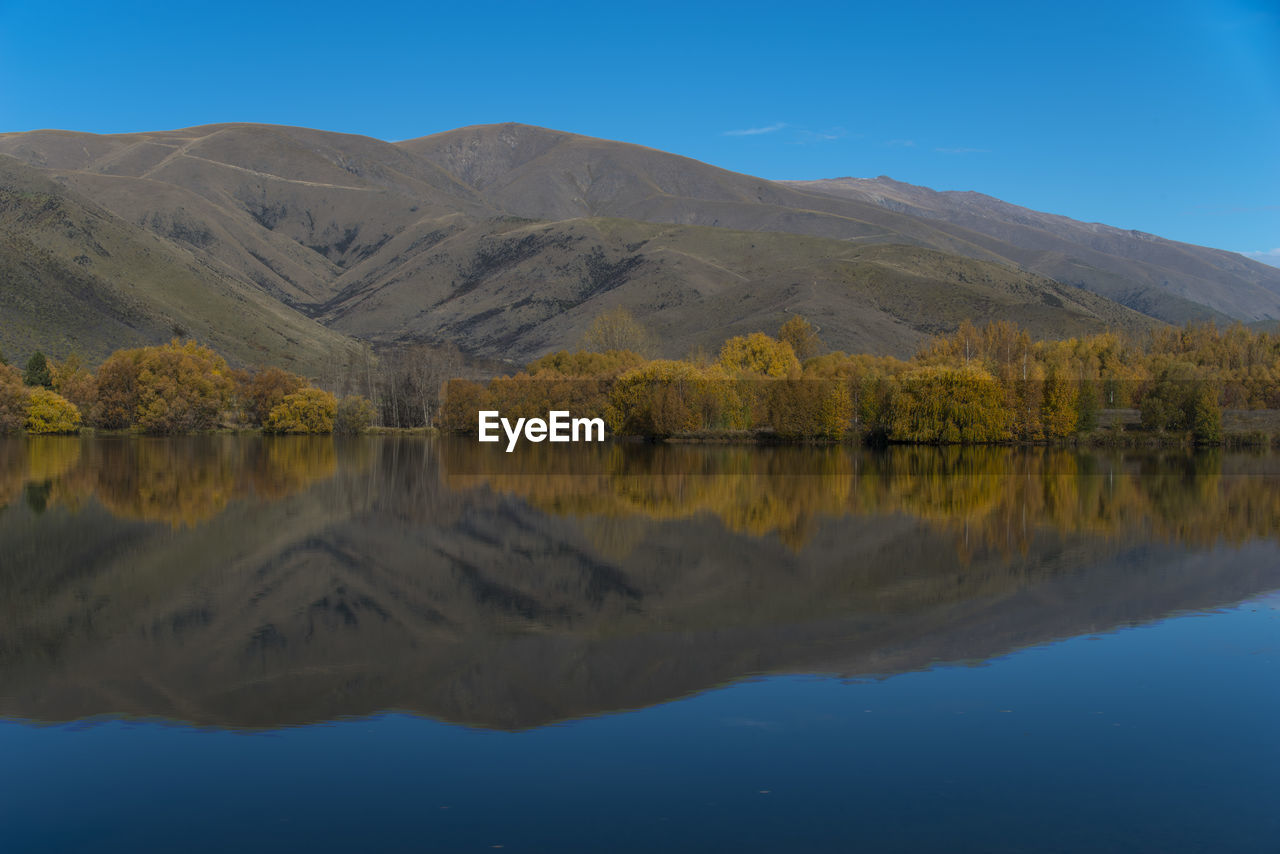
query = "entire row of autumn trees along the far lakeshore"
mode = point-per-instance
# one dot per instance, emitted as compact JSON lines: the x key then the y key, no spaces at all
{"x":989,"y":385}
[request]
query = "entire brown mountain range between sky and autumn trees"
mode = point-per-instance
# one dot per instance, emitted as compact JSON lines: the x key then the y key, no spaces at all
{"x":294,"y":246}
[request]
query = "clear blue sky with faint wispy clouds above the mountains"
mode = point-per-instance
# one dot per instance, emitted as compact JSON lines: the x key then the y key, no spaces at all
{"x":1163,"y":117}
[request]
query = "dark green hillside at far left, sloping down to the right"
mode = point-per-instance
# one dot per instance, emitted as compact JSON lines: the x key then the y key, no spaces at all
{"x":75,"y":278}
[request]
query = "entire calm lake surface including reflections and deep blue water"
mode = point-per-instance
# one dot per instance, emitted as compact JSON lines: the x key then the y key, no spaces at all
{"x":225,"y":643}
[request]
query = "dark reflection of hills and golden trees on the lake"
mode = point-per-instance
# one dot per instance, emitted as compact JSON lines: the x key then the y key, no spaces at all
{"x":258,"y":583}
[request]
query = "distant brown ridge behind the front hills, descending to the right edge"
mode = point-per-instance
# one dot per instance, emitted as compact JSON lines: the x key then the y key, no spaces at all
{"x":548,"y":175}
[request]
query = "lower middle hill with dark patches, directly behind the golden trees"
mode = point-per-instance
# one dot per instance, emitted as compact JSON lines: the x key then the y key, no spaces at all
{"x":522,"y":289}
